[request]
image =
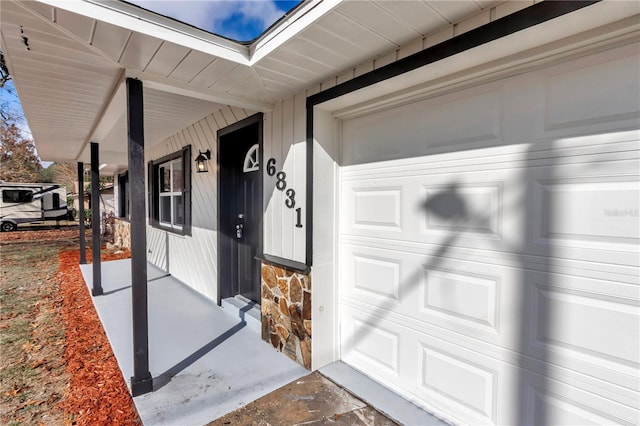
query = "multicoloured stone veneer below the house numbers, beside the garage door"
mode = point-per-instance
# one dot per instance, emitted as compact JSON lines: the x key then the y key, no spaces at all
{"x":286,"y":312}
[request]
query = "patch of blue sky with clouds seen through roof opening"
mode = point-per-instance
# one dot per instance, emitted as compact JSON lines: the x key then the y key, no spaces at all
{"x":241,"y":20}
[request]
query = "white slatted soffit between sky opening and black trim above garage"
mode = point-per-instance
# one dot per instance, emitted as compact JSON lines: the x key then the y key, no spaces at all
{"x":350,"y":33}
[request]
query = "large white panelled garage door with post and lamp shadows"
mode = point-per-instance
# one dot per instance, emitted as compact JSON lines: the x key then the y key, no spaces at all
{"x":489,"y":246}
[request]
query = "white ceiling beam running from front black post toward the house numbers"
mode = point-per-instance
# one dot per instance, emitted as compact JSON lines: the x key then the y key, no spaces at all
{"x":165,"y":84}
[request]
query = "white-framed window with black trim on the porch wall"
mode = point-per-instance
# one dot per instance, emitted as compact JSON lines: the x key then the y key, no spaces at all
{"x":170,"y":192}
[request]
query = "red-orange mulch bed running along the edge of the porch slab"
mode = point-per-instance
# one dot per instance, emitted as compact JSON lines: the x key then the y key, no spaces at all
{"x":97,"y":394}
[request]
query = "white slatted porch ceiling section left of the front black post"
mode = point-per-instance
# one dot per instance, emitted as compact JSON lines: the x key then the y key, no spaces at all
{"x":62,"y":84}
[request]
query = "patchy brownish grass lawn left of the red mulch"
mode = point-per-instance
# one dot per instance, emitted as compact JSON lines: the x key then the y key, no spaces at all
{"x":33,"y":378}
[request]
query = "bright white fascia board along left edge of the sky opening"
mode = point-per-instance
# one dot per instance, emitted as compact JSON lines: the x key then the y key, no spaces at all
{"x":151,"y":24}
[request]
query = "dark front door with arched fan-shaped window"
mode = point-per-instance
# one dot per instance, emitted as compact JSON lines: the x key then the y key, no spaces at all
{"x":240,"y":208}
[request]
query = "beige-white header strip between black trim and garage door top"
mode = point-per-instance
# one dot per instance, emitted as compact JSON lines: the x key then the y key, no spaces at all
{"x":605,"y":22}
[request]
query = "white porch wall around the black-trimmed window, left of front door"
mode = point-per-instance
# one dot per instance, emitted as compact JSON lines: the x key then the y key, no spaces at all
{"x":192,"y":258}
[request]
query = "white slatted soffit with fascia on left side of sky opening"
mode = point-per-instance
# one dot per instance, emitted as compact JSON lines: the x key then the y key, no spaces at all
{"x":156,"y":49}
